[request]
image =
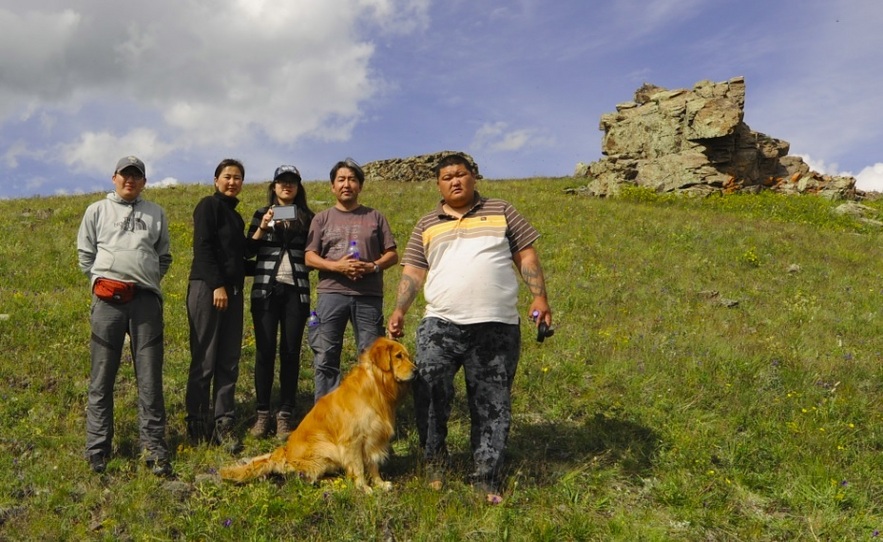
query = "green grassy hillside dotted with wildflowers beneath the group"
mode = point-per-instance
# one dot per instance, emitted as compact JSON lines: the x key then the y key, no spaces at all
{"x":715,"y":375}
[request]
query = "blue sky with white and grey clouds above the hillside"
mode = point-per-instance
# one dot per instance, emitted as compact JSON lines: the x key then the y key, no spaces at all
{"x":518,"y":84}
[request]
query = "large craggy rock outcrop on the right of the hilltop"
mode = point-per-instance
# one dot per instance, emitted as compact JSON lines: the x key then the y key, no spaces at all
{"x":694,"y":141}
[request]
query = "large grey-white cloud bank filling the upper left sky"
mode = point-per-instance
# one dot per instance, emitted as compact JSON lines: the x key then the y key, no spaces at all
{"x":203,"y":76}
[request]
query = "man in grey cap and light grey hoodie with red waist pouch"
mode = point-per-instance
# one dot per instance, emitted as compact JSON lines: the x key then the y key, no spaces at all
{"x":123,"y":247}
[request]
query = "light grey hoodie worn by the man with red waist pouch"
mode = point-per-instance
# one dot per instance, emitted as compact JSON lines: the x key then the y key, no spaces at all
{"x":125,"y":241}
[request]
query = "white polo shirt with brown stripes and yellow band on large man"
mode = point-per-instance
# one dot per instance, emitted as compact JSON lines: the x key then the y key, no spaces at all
{"x":471,"y":278}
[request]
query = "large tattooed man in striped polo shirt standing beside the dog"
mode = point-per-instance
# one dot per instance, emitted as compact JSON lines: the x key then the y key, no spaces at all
{"x":464,"y":252}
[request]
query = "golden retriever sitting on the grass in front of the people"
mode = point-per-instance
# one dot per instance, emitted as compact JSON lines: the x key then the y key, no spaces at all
{"x":349,"y":429}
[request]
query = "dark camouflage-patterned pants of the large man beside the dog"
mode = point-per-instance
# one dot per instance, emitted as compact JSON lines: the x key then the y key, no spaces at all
{"x":488,"y":353}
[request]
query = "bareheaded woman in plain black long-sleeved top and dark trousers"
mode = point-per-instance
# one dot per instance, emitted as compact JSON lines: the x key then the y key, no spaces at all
{"x":215,"y":309}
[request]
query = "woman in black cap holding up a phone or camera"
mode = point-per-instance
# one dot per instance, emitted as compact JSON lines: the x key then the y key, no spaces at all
{"x":280,"y":295}
